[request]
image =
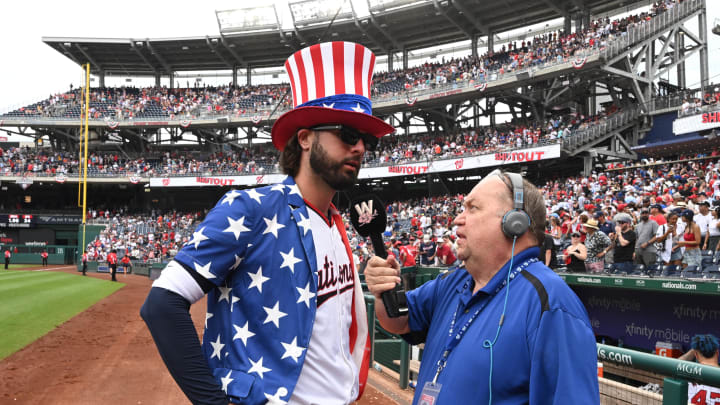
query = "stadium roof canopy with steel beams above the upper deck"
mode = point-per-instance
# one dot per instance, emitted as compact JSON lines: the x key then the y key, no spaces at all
{"x":392,"y":25}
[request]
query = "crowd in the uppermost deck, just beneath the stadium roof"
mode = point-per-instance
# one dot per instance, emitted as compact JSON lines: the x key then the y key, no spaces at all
{"x":191,"y":102}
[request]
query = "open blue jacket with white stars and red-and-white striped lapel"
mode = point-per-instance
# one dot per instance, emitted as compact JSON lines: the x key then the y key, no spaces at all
{"x":256,"y":247}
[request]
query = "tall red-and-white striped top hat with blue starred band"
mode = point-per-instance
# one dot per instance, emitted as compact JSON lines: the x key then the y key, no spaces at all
{"x":330,"y":84}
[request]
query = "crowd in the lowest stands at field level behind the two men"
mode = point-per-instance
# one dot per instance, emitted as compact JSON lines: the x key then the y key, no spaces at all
{"x":623,"y":214}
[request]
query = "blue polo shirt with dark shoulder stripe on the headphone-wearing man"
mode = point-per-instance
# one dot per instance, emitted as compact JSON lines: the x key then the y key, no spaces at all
{"x":545,"y":353}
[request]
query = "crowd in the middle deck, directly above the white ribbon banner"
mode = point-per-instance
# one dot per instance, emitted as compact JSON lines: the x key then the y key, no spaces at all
{"x":262,"y":159}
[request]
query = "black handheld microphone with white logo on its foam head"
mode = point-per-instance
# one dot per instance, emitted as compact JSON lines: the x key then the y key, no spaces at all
{"x":367,"y":214}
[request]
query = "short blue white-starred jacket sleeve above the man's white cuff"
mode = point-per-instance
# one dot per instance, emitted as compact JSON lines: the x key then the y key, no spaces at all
{"x":221,"y":240}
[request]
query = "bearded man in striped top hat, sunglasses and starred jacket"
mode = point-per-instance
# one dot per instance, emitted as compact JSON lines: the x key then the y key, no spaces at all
{"x":285,"y":318}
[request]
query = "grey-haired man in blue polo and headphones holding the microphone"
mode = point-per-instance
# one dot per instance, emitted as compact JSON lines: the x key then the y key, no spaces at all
{"x":544,"y":352}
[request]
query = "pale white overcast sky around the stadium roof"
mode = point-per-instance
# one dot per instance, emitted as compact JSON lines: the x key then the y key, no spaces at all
{"x":32,"y":70}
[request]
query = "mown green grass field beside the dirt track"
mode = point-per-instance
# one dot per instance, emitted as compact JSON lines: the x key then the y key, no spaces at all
{"x":32,"y":303}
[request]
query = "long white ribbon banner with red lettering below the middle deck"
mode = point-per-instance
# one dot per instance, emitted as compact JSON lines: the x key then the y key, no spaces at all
{"x":436,"y":166}
